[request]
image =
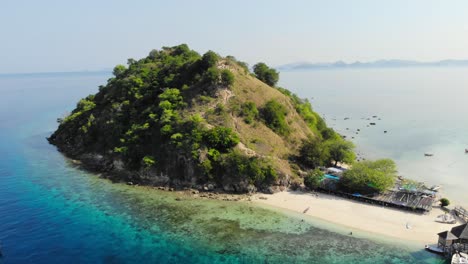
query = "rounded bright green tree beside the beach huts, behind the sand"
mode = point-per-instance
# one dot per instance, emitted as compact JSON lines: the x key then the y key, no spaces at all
{"x":369,"y":177}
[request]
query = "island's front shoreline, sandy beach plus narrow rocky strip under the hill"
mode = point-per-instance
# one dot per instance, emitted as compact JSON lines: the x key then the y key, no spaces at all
{"x":332,"y":213}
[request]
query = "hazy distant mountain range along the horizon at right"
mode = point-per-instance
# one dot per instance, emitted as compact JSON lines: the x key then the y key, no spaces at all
{"x":373,"y":64}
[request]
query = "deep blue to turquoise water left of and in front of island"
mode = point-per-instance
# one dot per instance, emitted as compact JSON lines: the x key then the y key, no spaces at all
{"x":51,"y":212}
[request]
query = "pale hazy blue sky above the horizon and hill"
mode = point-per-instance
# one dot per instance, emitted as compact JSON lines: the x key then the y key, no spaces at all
{"x":65,"y":35}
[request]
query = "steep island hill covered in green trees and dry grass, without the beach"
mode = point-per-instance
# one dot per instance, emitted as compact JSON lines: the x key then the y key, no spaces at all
{"x":178,"y":118}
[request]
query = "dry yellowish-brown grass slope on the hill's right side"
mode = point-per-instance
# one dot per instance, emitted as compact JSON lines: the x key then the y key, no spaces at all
{"x":256,"y":138}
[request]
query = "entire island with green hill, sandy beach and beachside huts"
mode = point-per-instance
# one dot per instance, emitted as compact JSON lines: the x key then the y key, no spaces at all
{"x":179,"y":120}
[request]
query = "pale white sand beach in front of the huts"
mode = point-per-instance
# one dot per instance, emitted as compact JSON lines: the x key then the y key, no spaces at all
{"x":374,"y":219}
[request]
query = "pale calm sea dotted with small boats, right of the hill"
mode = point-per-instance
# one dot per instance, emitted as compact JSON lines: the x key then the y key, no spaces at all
{"x":422,"y":110}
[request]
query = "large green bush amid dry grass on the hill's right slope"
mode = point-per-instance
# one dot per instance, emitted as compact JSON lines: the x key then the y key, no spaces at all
{"x":274,"y":113}
